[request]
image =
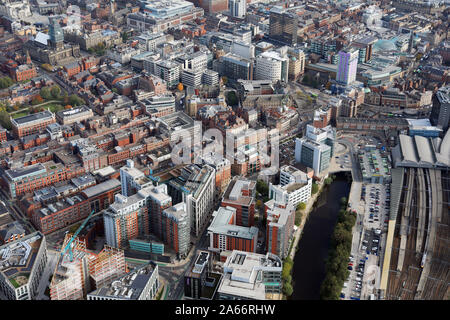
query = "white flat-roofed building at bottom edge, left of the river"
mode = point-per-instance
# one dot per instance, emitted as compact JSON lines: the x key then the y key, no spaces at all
{"x":250,"y":276}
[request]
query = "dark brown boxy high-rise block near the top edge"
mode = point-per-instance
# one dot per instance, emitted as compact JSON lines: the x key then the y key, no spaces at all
{"x":283,"y":26}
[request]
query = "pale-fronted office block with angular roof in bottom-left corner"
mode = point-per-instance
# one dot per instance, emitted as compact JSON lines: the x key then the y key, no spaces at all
{"x":22,"y":263}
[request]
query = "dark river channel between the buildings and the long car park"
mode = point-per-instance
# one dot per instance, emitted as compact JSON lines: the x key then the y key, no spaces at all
{"x":309,"y":260}
